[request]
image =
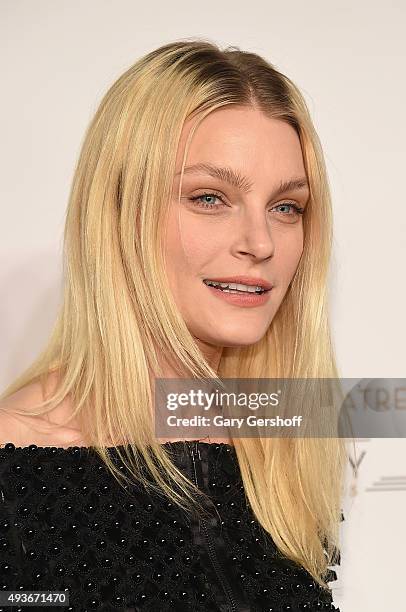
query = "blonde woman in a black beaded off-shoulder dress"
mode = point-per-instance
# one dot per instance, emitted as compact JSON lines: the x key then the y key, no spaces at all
{"x":200,"y":165}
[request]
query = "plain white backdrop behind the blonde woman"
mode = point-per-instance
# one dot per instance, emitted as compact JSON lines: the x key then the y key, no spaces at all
{"x":348,"y":58}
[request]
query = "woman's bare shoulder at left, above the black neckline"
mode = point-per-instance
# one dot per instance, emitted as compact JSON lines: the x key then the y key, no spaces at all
{"x":43,"y":430}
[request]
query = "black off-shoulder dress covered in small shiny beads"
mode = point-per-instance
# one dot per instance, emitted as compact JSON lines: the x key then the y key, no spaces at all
{"x":67,"y":525}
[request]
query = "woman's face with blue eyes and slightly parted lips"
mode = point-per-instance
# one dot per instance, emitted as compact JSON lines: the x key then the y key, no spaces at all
{"x":251,"y":229}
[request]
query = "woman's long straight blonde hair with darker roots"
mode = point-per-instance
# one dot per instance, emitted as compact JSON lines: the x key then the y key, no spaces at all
{"x":118,"y":314}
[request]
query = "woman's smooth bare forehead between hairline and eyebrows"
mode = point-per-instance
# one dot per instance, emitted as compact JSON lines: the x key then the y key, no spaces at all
{"x":245,"y":139}
